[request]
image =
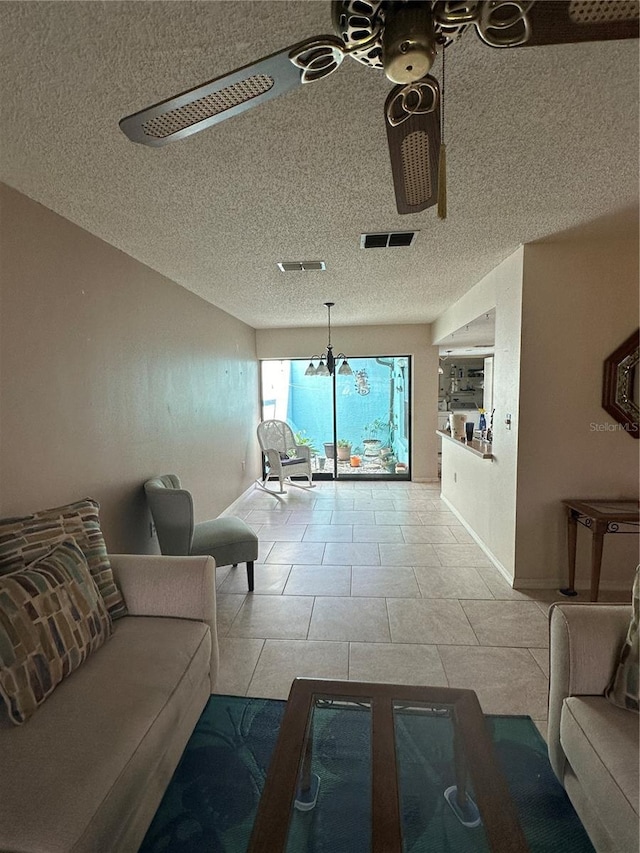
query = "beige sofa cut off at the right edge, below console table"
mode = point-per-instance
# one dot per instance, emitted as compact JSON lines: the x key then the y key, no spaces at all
{"x":593,"y":745}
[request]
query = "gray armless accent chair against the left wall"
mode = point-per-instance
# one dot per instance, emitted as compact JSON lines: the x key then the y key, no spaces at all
{"x":229,"y":540}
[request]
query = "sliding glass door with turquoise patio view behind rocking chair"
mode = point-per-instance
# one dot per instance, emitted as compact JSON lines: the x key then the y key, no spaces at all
{"x":356,"y":426}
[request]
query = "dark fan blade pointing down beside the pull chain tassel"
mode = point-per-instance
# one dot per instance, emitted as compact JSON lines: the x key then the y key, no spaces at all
{"x":412,"y":117}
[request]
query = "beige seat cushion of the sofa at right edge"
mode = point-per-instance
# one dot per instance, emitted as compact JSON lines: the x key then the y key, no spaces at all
{"x":601,"y":745}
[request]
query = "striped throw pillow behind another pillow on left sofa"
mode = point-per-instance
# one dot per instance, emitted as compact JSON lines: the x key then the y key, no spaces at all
{"x":23,"y":540}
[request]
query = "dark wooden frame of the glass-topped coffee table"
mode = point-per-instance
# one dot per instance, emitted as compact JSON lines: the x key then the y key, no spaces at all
{"x":501,"y":824}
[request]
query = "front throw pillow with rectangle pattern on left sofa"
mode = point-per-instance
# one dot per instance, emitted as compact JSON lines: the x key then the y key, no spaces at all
{"x":51,"y":618}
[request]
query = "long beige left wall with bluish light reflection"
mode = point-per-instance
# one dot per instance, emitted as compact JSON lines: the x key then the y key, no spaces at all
{"x":111,"y":373}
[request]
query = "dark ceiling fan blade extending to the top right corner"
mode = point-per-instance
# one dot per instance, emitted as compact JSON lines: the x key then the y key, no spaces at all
{"x":528,"y":24}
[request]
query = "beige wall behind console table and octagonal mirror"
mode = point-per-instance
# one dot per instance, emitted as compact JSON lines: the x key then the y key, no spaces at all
{"x":580,"y":302}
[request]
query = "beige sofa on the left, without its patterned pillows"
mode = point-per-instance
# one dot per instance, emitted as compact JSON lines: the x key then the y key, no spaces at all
{"x":88,"y":770}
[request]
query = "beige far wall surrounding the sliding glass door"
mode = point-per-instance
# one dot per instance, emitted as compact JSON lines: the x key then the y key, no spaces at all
{"x":363,"y":341}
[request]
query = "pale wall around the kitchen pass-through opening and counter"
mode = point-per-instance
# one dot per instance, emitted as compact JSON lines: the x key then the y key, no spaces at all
{"x":483,"y":492}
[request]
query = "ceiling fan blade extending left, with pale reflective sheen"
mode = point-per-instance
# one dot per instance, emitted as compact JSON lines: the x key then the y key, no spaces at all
{"x":224,"y":97}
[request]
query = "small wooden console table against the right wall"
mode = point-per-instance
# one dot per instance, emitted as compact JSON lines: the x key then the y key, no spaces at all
{"x":600,"y":516}
